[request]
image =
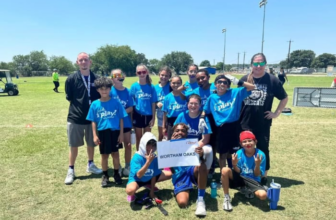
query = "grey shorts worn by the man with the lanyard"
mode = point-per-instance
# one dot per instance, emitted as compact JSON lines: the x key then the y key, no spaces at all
{"x":76,"y":134}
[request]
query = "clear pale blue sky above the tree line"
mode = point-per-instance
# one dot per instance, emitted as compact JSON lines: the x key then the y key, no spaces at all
{"x":155,"y":28}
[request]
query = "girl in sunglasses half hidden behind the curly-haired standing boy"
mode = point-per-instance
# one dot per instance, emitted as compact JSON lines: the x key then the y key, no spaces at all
{"x":122,"y":94}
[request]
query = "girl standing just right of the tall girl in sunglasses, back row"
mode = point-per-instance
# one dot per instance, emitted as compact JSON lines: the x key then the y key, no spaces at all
{"x":162,"y":90}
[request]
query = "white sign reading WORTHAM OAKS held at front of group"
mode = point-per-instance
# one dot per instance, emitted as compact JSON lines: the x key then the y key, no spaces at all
{"x":176,"y":153}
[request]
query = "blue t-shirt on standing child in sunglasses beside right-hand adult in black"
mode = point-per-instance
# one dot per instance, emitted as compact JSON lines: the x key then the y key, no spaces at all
{"x":226,"y":108}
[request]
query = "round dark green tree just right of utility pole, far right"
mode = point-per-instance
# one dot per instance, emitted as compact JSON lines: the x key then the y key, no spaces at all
{"x":301,"y":58}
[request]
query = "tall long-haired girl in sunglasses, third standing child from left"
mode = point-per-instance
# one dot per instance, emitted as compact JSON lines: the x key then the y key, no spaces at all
{"x":144,"y":96}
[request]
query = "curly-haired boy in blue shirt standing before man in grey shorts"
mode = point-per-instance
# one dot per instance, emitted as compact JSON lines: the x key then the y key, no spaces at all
{"x":106,"y":115}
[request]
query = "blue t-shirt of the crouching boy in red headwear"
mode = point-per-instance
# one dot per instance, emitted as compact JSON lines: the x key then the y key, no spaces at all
{"x":247,"y":164}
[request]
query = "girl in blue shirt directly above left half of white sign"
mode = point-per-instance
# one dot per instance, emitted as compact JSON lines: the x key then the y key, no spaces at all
{"x":173,"y":105}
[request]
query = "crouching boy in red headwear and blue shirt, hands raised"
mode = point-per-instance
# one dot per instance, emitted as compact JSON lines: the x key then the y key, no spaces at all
{"x":249,"y":165}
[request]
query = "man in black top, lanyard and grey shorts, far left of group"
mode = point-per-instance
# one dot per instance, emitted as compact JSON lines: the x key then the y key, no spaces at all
{"x":80,"y":92}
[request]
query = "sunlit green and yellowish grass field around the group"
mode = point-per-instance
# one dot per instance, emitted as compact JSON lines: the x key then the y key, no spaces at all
{"x":34,"y":162}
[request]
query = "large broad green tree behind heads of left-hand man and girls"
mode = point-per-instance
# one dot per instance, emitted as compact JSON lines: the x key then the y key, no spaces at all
{"x":110,"y":57}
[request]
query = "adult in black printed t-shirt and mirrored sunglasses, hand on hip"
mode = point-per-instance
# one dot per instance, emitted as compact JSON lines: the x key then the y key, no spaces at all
{"x":256,"y":114}
